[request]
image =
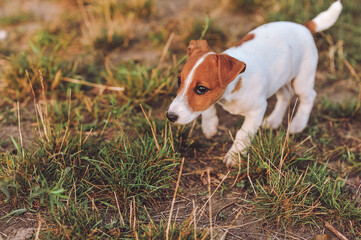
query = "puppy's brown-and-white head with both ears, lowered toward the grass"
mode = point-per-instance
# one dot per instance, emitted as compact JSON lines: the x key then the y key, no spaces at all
{"x":202,"y":82}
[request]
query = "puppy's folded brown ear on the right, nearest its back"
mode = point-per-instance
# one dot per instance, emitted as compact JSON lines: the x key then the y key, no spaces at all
{"x":228,"y":68}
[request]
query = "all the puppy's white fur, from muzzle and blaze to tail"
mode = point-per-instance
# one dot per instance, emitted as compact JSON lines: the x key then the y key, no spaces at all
{"x":281,"y":53}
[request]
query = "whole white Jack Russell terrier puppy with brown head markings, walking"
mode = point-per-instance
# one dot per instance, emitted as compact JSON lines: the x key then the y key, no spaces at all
{"x":279,"y":56}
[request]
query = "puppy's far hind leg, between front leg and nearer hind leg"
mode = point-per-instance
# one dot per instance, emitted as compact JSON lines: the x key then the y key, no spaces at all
{"x":284,"y":96}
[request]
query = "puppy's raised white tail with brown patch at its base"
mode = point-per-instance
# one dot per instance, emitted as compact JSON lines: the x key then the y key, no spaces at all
{"x":325,"y":19}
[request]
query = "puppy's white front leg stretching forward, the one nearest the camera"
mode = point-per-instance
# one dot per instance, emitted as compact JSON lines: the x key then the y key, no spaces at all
{"x":250,"y":126}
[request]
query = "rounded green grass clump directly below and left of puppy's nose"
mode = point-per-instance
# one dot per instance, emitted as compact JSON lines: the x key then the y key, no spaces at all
{"x":136,"y":168}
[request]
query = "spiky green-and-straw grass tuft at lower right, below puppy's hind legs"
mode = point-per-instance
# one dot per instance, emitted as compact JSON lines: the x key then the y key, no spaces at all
{"x":284,"y":198}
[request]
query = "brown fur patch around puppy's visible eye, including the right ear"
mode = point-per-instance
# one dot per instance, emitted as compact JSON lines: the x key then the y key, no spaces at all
{"x":214,"y":73}
